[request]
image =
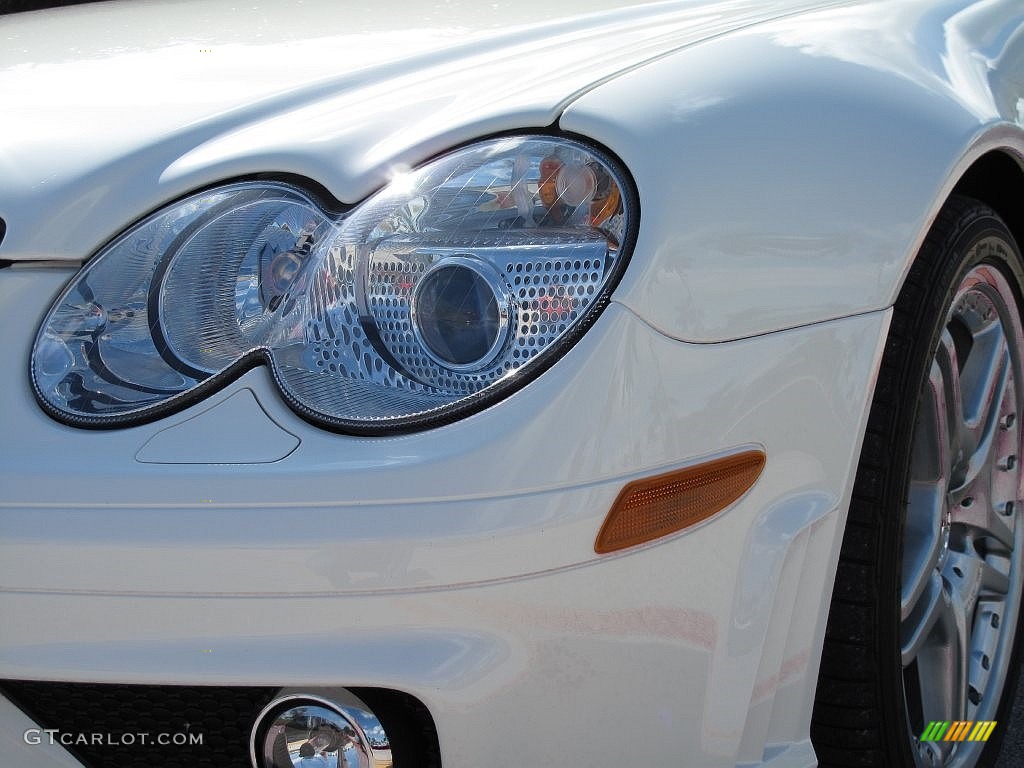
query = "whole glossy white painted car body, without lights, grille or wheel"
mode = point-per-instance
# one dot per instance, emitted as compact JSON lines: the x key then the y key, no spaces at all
{"x":790,"y":158}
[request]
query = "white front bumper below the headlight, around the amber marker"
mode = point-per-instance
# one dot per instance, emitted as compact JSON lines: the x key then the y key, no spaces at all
{"x":234,"y":544}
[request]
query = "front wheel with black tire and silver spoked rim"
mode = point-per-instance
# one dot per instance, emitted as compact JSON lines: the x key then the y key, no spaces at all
{"x":871,"y":706}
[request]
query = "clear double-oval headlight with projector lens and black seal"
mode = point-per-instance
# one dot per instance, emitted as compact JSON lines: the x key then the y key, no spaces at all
{"x":439,"y":295}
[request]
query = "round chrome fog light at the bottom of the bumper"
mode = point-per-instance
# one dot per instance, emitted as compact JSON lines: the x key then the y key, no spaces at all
{"x":300,"y":731}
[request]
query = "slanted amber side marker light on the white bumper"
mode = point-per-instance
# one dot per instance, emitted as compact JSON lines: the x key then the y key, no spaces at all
{"x":655,"y":507}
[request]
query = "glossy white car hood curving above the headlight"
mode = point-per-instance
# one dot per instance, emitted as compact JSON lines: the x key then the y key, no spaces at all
{"x":113,"y":110}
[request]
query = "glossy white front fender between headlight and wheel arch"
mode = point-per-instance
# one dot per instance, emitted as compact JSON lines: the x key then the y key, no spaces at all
{"x":789,"y":174}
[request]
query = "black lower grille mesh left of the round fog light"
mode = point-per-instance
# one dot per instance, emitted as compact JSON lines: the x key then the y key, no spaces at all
{"x":103,"y":726}
